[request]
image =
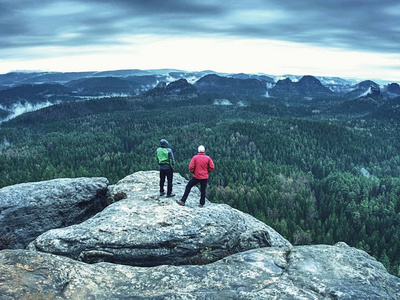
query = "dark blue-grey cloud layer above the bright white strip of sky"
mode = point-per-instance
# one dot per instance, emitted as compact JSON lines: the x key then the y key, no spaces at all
{"x":361,"y":24}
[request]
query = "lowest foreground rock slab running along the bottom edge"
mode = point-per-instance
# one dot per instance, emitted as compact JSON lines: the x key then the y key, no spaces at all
{"x":305,"y":272}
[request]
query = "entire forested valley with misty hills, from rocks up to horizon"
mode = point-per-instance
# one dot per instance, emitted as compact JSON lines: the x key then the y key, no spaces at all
{"x":318,"y":162}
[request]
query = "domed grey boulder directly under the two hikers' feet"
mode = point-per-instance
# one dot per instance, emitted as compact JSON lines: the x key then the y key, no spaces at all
{"x":148,"y":230}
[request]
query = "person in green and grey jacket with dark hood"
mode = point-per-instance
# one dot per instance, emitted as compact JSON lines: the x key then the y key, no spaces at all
{"x":166,"y":162}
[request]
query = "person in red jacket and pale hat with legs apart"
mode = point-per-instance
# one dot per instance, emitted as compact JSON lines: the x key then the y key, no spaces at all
{"x":200,"y":166}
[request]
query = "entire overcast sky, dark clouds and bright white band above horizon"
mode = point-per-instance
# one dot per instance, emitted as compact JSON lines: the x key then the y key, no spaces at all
{"x":359,"y":38}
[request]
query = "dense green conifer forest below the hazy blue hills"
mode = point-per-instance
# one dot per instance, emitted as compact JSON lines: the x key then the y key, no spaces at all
{"x":314,"y":178}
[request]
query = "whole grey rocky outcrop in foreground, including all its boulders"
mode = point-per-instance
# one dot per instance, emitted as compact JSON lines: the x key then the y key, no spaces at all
{"x":143,"y":246}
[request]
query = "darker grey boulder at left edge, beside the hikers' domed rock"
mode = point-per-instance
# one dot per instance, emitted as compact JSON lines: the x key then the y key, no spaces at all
{"x":30,"y":209}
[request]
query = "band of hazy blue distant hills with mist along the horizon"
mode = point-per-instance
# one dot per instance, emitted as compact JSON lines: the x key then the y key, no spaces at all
{"x":307,"y":94}
